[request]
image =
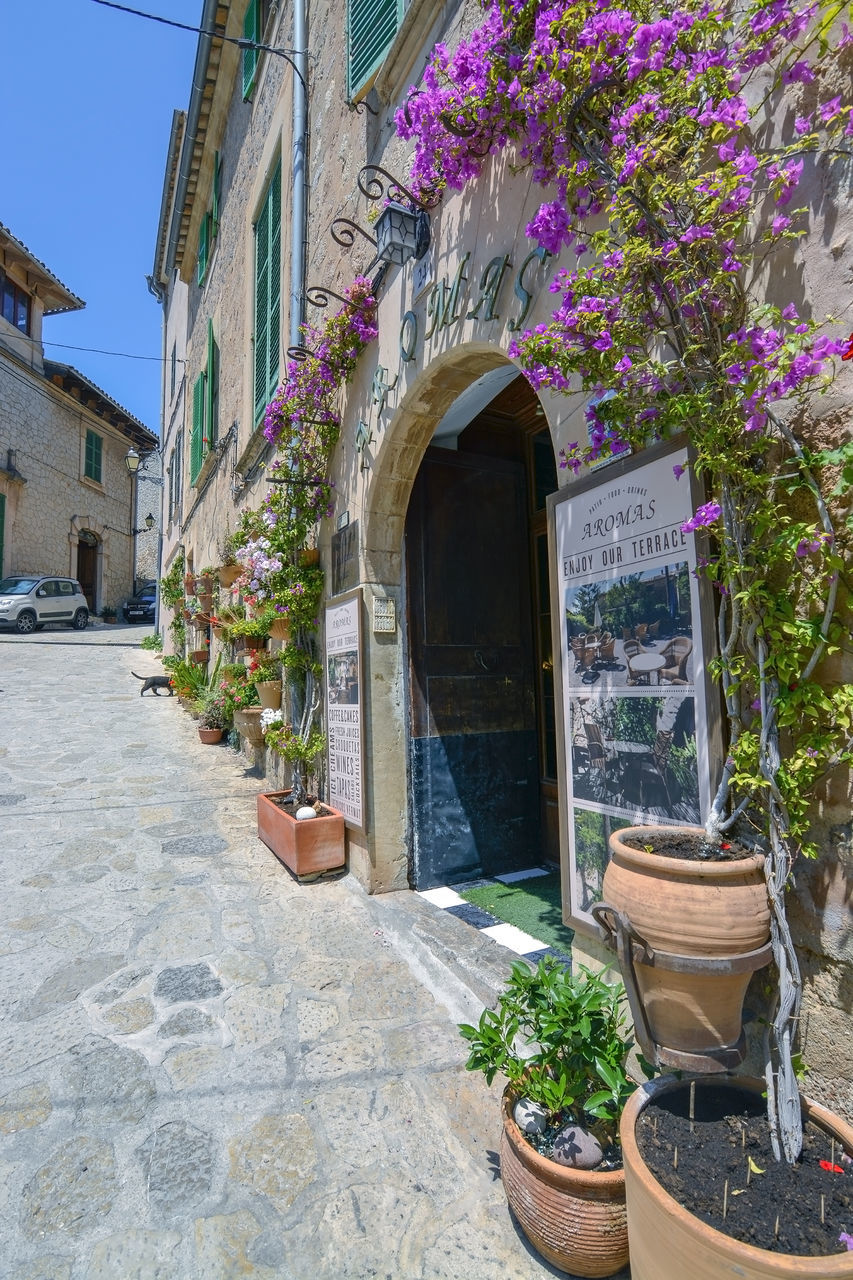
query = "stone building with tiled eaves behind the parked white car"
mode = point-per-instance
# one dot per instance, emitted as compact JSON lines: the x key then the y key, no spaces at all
{"x":67,"y":502}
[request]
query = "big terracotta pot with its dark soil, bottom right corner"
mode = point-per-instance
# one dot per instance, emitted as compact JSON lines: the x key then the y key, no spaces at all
{"x":752,"y":1219}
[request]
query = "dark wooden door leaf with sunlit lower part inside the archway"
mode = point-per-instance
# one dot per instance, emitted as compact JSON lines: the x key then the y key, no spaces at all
{"x":473,"y":730}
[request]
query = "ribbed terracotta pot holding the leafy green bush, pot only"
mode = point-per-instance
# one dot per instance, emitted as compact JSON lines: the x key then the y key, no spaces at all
{"x":574,"y":1218}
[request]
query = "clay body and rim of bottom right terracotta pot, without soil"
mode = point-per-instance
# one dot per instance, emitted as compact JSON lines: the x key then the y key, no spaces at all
{"x":668,"y":1244}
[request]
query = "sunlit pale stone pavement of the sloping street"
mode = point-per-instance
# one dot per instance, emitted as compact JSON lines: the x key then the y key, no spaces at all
{"x":208,"y":1071}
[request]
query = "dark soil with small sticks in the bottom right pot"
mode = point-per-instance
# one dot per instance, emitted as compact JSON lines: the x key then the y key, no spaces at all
{"x":770,"y":1205}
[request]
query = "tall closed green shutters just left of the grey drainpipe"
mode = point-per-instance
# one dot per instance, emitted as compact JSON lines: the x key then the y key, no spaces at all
{"x":268,"y":294}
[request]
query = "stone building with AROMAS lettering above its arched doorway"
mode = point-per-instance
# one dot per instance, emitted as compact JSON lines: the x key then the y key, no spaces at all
{"x":446,"y":458}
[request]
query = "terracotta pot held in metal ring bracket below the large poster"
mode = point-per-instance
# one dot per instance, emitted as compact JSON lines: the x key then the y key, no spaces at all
{"x":699,"y":930}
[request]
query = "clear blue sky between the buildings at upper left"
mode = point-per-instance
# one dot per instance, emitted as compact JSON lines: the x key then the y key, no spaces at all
{"x":86,"y":99}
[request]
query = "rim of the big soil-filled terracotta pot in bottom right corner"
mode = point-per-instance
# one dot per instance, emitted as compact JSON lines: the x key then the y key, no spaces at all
{"x":790,"y":1267}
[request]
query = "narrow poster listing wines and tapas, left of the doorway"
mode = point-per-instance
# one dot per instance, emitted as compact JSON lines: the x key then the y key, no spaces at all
{"x":344,"y":708}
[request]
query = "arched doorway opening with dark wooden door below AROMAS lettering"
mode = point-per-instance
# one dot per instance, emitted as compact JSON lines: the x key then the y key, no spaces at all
{"x":482,"y":747}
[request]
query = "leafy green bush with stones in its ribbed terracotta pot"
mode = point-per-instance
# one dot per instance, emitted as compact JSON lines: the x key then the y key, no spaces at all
{"x":562,"y":1041}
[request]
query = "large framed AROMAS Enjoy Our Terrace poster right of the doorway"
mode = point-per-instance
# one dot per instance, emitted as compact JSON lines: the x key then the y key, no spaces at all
{"x":632,"y":665}
